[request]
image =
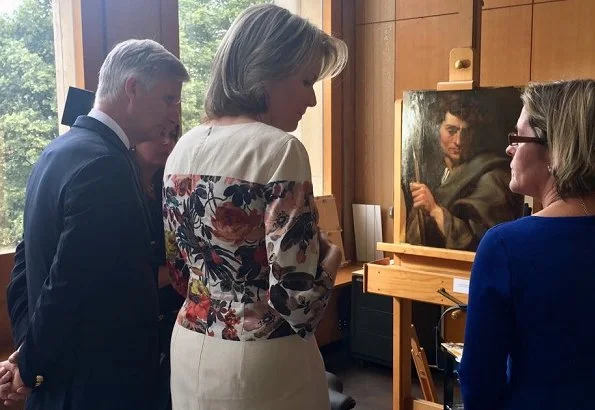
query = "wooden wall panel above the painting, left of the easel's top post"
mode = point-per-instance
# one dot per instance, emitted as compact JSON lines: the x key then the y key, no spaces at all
{"x":422,"y":51}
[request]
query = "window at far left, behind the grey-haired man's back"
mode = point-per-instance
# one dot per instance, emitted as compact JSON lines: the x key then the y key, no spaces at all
{"x":28,"y":120}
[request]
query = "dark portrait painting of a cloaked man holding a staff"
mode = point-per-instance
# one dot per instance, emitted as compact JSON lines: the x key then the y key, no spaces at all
{"x":454,"y":170}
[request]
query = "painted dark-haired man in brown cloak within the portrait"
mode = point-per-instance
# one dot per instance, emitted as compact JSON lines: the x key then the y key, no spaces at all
{"x":472,"y":194}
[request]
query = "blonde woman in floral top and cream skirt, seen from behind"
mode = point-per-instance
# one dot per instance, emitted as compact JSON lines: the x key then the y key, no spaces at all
{"x":241,"y":226}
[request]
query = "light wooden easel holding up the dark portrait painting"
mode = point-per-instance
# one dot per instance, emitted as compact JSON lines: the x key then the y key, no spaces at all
{"x":419,"y":272}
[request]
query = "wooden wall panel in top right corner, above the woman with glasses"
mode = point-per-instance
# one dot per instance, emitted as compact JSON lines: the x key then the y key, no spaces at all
{"x":563,"y":40}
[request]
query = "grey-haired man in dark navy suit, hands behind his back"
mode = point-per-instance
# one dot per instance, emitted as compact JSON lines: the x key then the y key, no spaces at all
{"x":89,"y":336}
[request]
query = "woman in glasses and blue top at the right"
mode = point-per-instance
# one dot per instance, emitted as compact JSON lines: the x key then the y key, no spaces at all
{"x":529,"y":335}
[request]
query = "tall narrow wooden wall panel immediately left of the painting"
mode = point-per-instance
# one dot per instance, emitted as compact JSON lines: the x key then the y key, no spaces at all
{"x":374,"y":121}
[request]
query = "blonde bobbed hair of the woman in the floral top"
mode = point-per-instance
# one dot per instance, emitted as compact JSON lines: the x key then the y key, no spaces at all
{"x":266,"y":43}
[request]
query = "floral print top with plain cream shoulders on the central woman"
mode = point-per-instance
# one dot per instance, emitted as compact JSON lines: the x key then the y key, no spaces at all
{"x":245,"y":254}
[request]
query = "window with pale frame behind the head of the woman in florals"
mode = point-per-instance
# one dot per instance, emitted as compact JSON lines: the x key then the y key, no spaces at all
{"x":202,"y":26}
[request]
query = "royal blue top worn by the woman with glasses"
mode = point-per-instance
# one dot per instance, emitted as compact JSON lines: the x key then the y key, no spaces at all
{"x":530,"y":333}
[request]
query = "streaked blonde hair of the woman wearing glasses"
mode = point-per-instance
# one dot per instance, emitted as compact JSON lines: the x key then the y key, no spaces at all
{"x":563,"y":113}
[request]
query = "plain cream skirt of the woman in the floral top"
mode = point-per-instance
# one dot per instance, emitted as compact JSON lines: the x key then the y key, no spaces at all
{"x":208,"y":373}
